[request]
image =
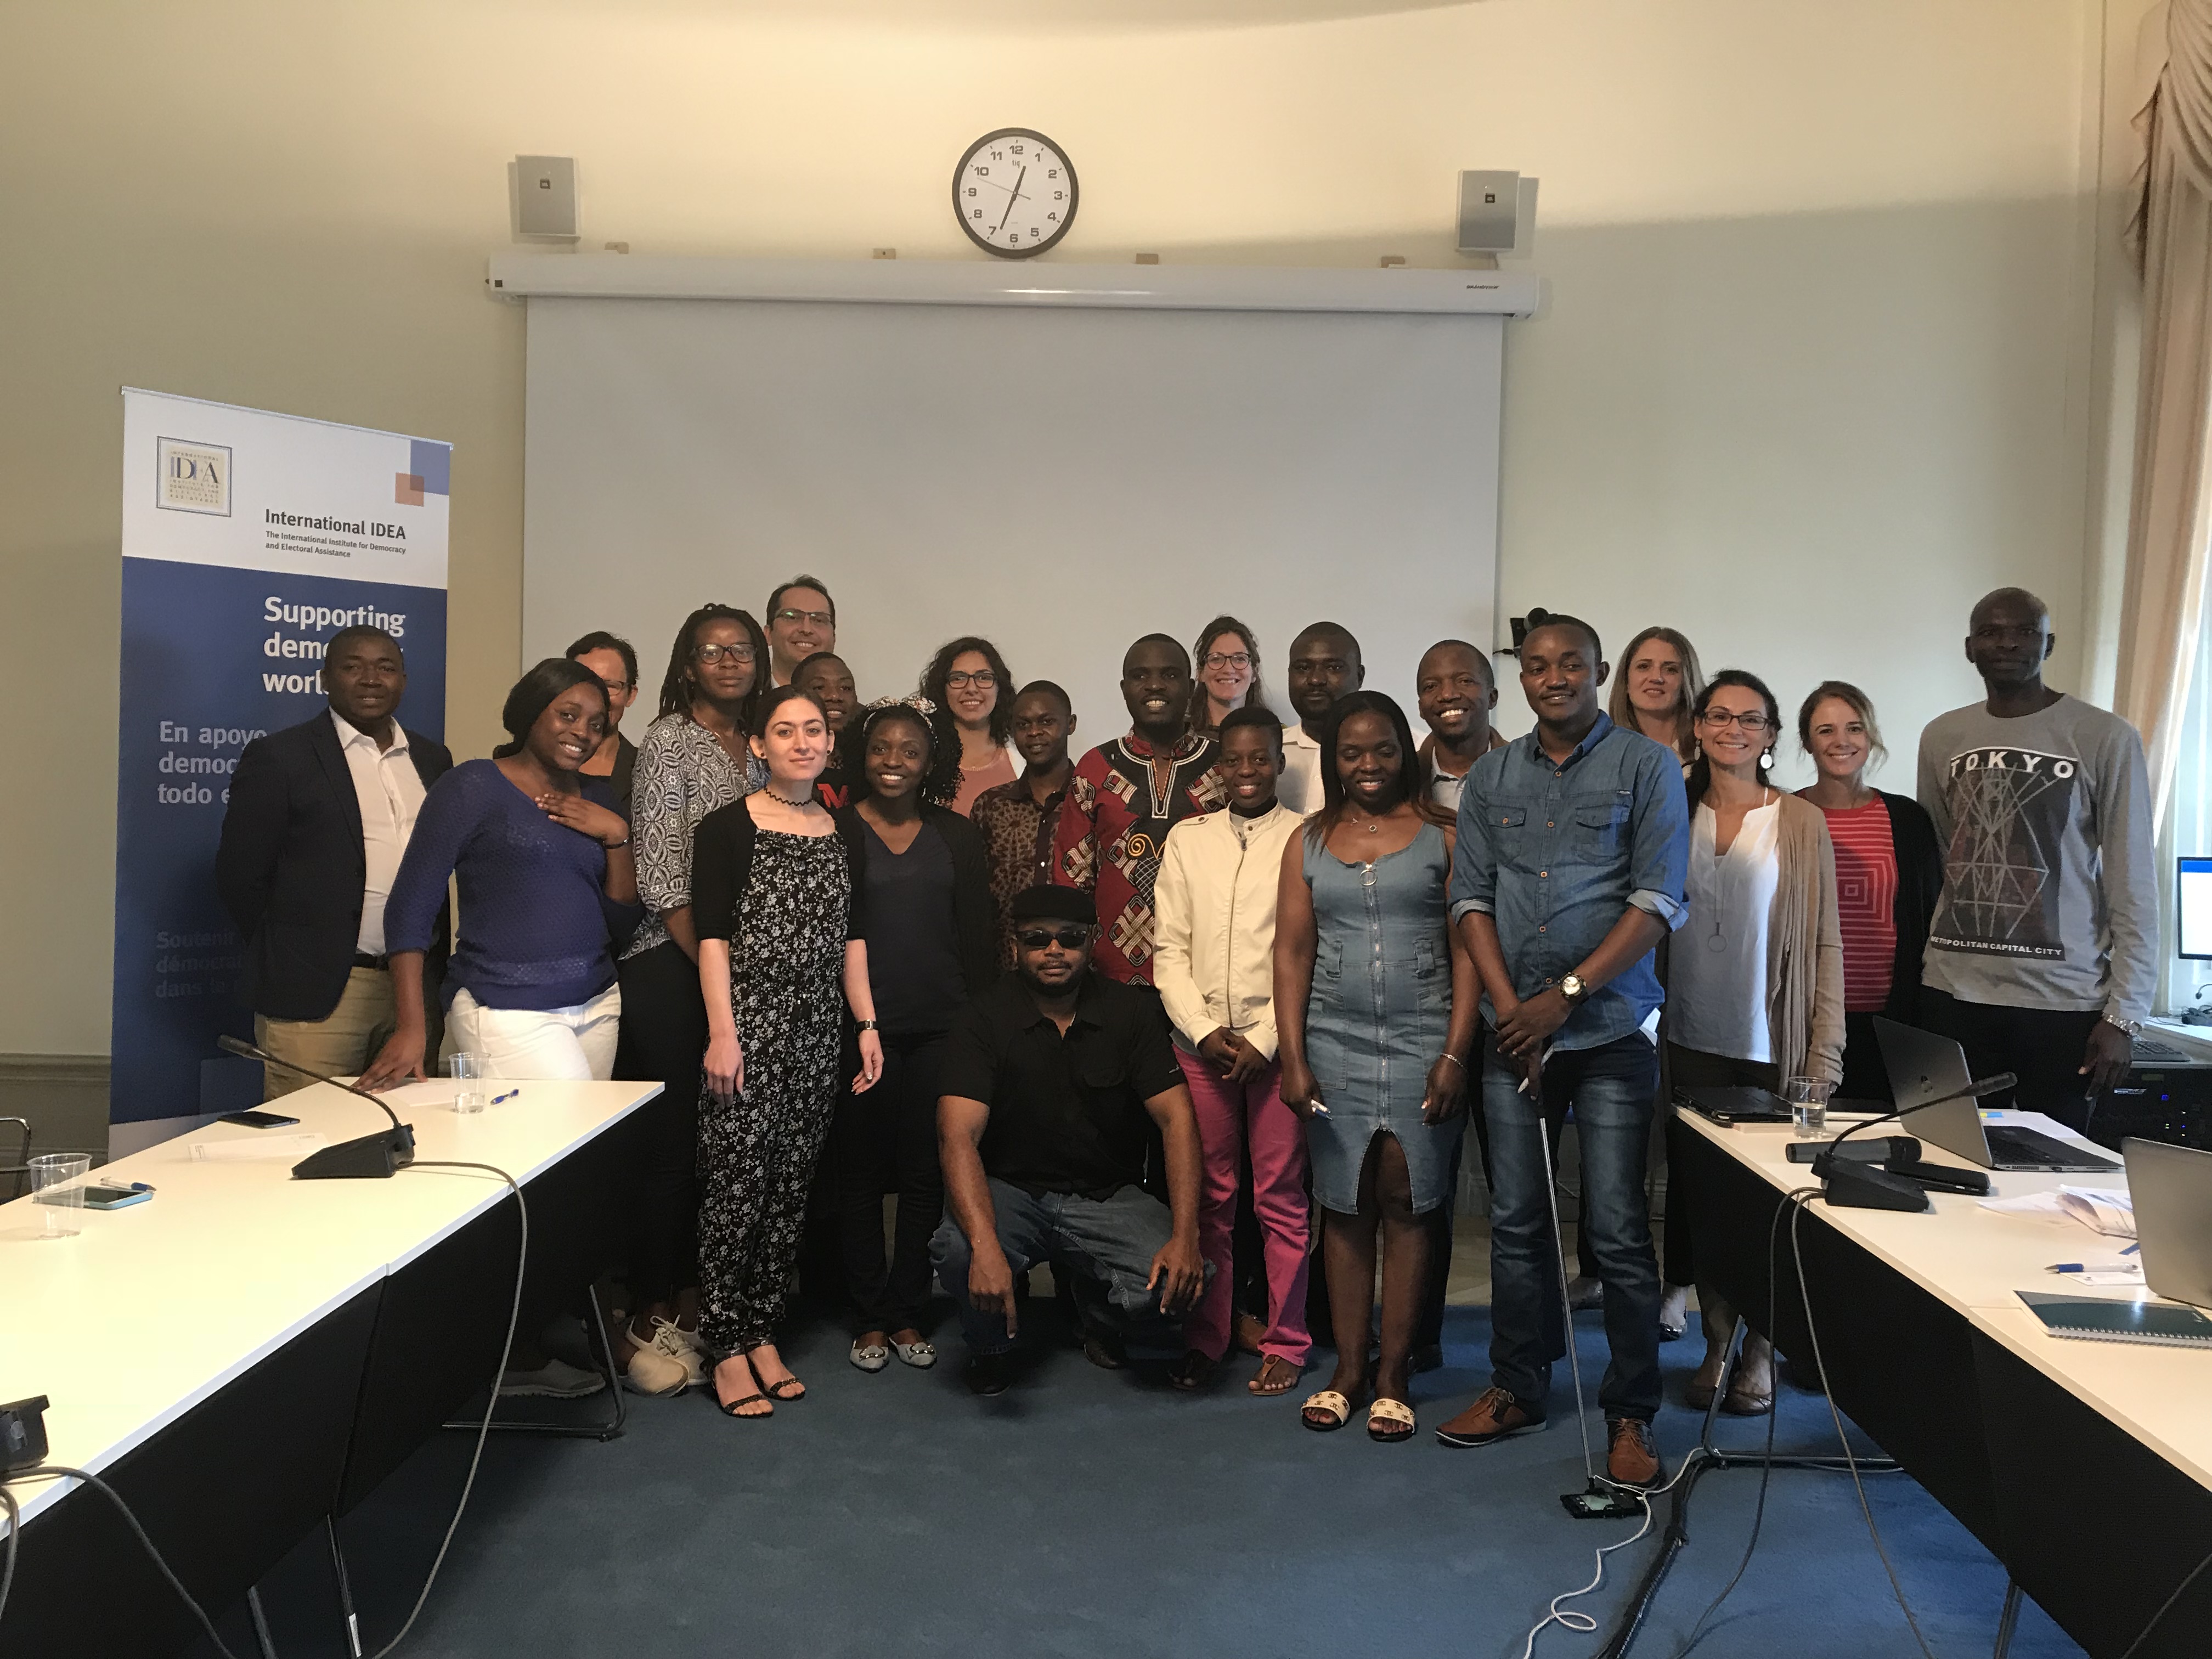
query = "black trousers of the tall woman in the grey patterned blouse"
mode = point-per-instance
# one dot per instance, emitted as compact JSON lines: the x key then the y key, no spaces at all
{"x":665,"y":1043}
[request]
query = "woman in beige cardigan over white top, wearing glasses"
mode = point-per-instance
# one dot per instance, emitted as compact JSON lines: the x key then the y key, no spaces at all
{"x":1755,"y":990}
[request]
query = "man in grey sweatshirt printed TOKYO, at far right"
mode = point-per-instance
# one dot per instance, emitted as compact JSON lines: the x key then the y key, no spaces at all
{"x":2045,"y":948}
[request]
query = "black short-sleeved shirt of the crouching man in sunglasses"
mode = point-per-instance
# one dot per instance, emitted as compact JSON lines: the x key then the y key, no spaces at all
{"x":1067,"y":1112}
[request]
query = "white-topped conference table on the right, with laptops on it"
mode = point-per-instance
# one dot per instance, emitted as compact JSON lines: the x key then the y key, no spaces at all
{"x":2087,"y":1468}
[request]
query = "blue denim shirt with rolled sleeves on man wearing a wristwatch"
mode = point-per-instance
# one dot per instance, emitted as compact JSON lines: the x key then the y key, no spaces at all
{"x":1556,"y":851}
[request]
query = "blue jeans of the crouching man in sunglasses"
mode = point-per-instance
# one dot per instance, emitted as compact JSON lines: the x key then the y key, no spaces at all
{"x":1105,"y":1246}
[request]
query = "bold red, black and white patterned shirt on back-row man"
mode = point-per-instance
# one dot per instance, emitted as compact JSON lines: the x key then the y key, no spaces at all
{"x":1114,"y":828}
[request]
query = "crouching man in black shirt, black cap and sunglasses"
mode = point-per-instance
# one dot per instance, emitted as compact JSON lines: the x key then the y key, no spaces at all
{"x":1050,"y":1089}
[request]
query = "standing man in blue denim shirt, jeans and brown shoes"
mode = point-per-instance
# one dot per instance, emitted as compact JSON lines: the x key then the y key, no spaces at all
{"x":1574,"y":846}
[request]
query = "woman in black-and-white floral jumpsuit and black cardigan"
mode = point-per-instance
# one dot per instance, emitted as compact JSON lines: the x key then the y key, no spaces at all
{"x":782,"y":959}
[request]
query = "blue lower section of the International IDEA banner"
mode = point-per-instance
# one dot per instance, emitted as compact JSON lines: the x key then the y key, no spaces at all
{"x":216,"y":658}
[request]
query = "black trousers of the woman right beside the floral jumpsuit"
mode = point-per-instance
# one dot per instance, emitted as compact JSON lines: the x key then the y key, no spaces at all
{"x":888,"y":1142}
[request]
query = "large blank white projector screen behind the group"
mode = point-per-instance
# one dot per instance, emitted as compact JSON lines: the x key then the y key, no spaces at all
{"x":1058,"y":481}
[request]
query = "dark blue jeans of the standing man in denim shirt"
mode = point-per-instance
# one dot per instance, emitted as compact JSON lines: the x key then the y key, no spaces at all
{"x":1611,"y":1092}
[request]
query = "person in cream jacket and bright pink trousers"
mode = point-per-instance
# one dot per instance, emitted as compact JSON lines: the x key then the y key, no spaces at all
{"x":1215,"y":974}
